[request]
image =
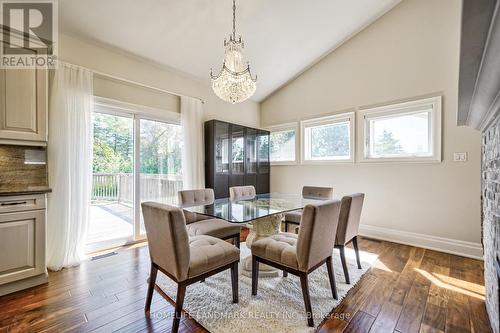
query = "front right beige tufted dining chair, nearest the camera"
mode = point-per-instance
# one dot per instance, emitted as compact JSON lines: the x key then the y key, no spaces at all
{"x":303,"y":253}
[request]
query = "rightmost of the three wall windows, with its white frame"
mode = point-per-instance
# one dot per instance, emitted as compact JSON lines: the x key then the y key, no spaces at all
{"x":408,"y":131}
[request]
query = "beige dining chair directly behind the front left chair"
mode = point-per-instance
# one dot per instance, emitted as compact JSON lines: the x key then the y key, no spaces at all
{"x":198,"y":224}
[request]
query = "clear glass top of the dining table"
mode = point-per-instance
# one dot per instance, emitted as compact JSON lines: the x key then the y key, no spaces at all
{"x":247,"y":210}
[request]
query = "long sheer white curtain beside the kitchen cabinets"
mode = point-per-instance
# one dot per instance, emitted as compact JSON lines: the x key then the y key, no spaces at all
{"x":70,"y":165}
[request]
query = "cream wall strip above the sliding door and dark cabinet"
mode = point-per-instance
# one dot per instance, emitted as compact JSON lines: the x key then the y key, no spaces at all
{"x":115,"y":62}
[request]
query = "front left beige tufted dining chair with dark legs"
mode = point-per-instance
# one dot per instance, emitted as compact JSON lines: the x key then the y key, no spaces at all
{"x":184,"y":259}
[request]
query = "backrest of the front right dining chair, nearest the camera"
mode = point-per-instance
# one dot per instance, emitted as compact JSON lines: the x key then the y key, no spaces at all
{"x":317,"y":233}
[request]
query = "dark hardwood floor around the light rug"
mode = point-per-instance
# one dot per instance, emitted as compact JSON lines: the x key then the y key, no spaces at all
{"x":409,"y":290}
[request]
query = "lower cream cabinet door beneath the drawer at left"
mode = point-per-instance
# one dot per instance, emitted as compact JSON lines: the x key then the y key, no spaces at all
{"x":22,"y":244}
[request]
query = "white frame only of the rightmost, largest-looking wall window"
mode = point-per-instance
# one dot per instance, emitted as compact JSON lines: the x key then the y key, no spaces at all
{"x":414,"y":106}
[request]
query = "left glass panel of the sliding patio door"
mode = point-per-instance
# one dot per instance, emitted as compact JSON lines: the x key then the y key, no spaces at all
{"x":112,"y":198}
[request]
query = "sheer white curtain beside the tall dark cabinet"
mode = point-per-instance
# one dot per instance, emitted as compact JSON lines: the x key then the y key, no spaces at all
{"x":193,"y":171}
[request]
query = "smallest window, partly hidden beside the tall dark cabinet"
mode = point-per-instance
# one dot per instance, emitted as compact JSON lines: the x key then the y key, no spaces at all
{"x":283,"y":149}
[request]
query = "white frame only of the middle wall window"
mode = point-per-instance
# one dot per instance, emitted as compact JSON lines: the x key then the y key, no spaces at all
{"x":327,"y":120}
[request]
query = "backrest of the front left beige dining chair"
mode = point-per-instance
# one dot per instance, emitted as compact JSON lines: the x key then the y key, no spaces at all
{"x":167,"y":238}
